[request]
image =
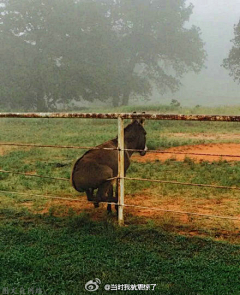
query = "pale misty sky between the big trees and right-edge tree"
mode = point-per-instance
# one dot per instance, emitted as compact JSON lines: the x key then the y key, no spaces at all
{"x":212,"y":86}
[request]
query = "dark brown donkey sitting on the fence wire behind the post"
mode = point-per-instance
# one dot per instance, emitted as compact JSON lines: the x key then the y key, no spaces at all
{"x":95,"y":167}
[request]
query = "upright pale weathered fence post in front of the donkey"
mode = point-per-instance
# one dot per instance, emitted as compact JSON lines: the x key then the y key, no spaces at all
{"x":120,"y":181}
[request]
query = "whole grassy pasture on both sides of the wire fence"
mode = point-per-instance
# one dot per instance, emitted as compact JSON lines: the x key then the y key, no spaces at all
{"x":59,"y":247}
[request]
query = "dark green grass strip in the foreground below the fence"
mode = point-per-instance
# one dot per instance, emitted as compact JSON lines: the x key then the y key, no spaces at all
{"x":60,"y":255}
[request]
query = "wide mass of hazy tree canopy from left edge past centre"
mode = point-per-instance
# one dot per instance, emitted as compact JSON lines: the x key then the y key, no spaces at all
{"x":63,"y":50}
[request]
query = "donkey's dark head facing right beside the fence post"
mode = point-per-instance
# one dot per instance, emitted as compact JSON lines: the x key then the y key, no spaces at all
{"x":135,"y":136}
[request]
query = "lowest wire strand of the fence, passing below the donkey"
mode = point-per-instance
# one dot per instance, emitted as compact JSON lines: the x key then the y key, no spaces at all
{"x":128,"y":205}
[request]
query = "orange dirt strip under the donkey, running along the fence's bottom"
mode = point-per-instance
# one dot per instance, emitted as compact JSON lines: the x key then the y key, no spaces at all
{"x":169,"y":214}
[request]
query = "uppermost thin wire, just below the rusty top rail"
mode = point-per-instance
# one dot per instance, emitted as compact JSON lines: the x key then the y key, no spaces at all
{"x":110,"y":149}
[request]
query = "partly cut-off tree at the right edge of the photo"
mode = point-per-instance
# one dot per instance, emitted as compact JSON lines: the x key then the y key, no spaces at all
{"x":232,"y":63}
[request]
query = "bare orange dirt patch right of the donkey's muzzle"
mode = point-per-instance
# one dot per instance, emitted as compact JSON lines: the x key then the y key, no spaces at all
{"x":215,"y":151}
